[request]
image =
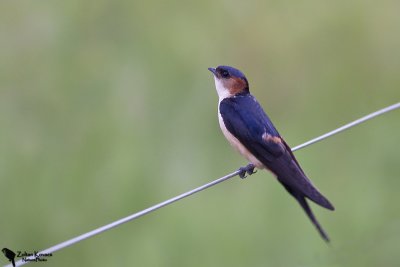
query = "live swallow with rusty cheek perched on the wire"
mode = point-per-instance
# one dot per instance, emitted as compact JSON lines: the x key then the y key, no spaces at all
{"x":250,"y":131}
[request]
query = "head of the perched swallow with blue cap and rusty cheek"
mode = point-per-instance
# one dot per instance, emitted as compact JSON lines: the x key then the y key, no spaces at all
{"x":229,"y":81}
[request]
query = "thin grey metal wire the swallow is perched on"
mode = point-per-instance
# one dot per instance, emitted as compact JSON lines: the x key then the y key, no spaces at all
{"x":196,"y":190}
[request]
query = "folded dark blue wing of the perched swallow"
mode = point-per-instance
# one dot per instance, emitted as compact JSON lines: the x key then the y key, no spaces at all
{"x":246,"y":120}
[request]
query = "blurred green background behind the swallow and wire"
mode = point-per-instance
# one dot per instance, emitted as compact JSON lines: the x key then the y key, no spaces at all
{"x":107,"y":107}
